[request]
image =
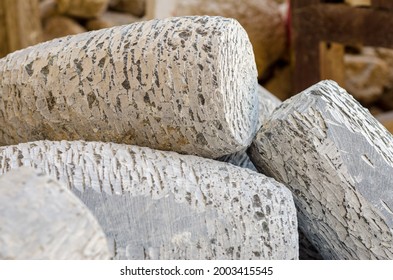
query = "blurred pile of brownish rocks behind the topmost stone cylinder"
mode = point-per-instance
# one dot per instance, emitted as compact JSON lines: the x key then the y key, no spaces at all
{"x":264,"y":21}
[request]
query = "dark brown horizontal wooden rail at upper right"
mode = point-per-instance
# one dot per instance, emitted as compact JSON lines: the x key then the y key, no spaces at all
{"x":346,"y":25}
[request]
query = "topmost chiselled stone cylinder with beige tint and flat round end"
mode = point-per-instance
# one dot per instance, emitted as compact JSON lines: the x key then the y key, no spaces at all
{"x":181,"y":84}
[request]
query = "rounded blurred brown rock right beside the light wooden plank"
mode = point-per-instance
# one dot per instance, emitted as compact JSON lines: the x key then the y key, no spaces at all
{"x":60,"y":26}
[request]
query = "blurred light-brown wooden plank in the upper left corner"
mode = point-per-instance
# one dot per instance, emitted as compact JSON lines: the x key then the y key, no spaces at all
{"x":21,"y":25}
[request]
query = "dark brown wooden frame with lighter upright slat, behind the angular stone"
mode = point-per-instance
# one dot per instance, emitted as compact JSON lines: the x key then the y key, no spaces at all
{"x":320,"y":30}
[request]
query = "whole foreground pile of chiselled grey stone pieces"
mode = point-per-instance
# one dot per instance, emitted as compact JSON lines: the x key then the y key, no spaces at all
{"x":170,"y":149}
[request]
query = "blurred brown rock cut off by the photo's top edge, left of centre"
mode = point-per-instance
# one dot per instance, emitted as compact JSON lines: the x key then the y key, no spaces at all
{"x":82,"y":8}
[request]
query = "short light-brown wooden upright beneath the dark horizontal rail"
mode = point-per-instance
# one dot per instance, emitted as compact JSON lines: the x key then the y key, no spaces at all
{"x":332,"y":62}
